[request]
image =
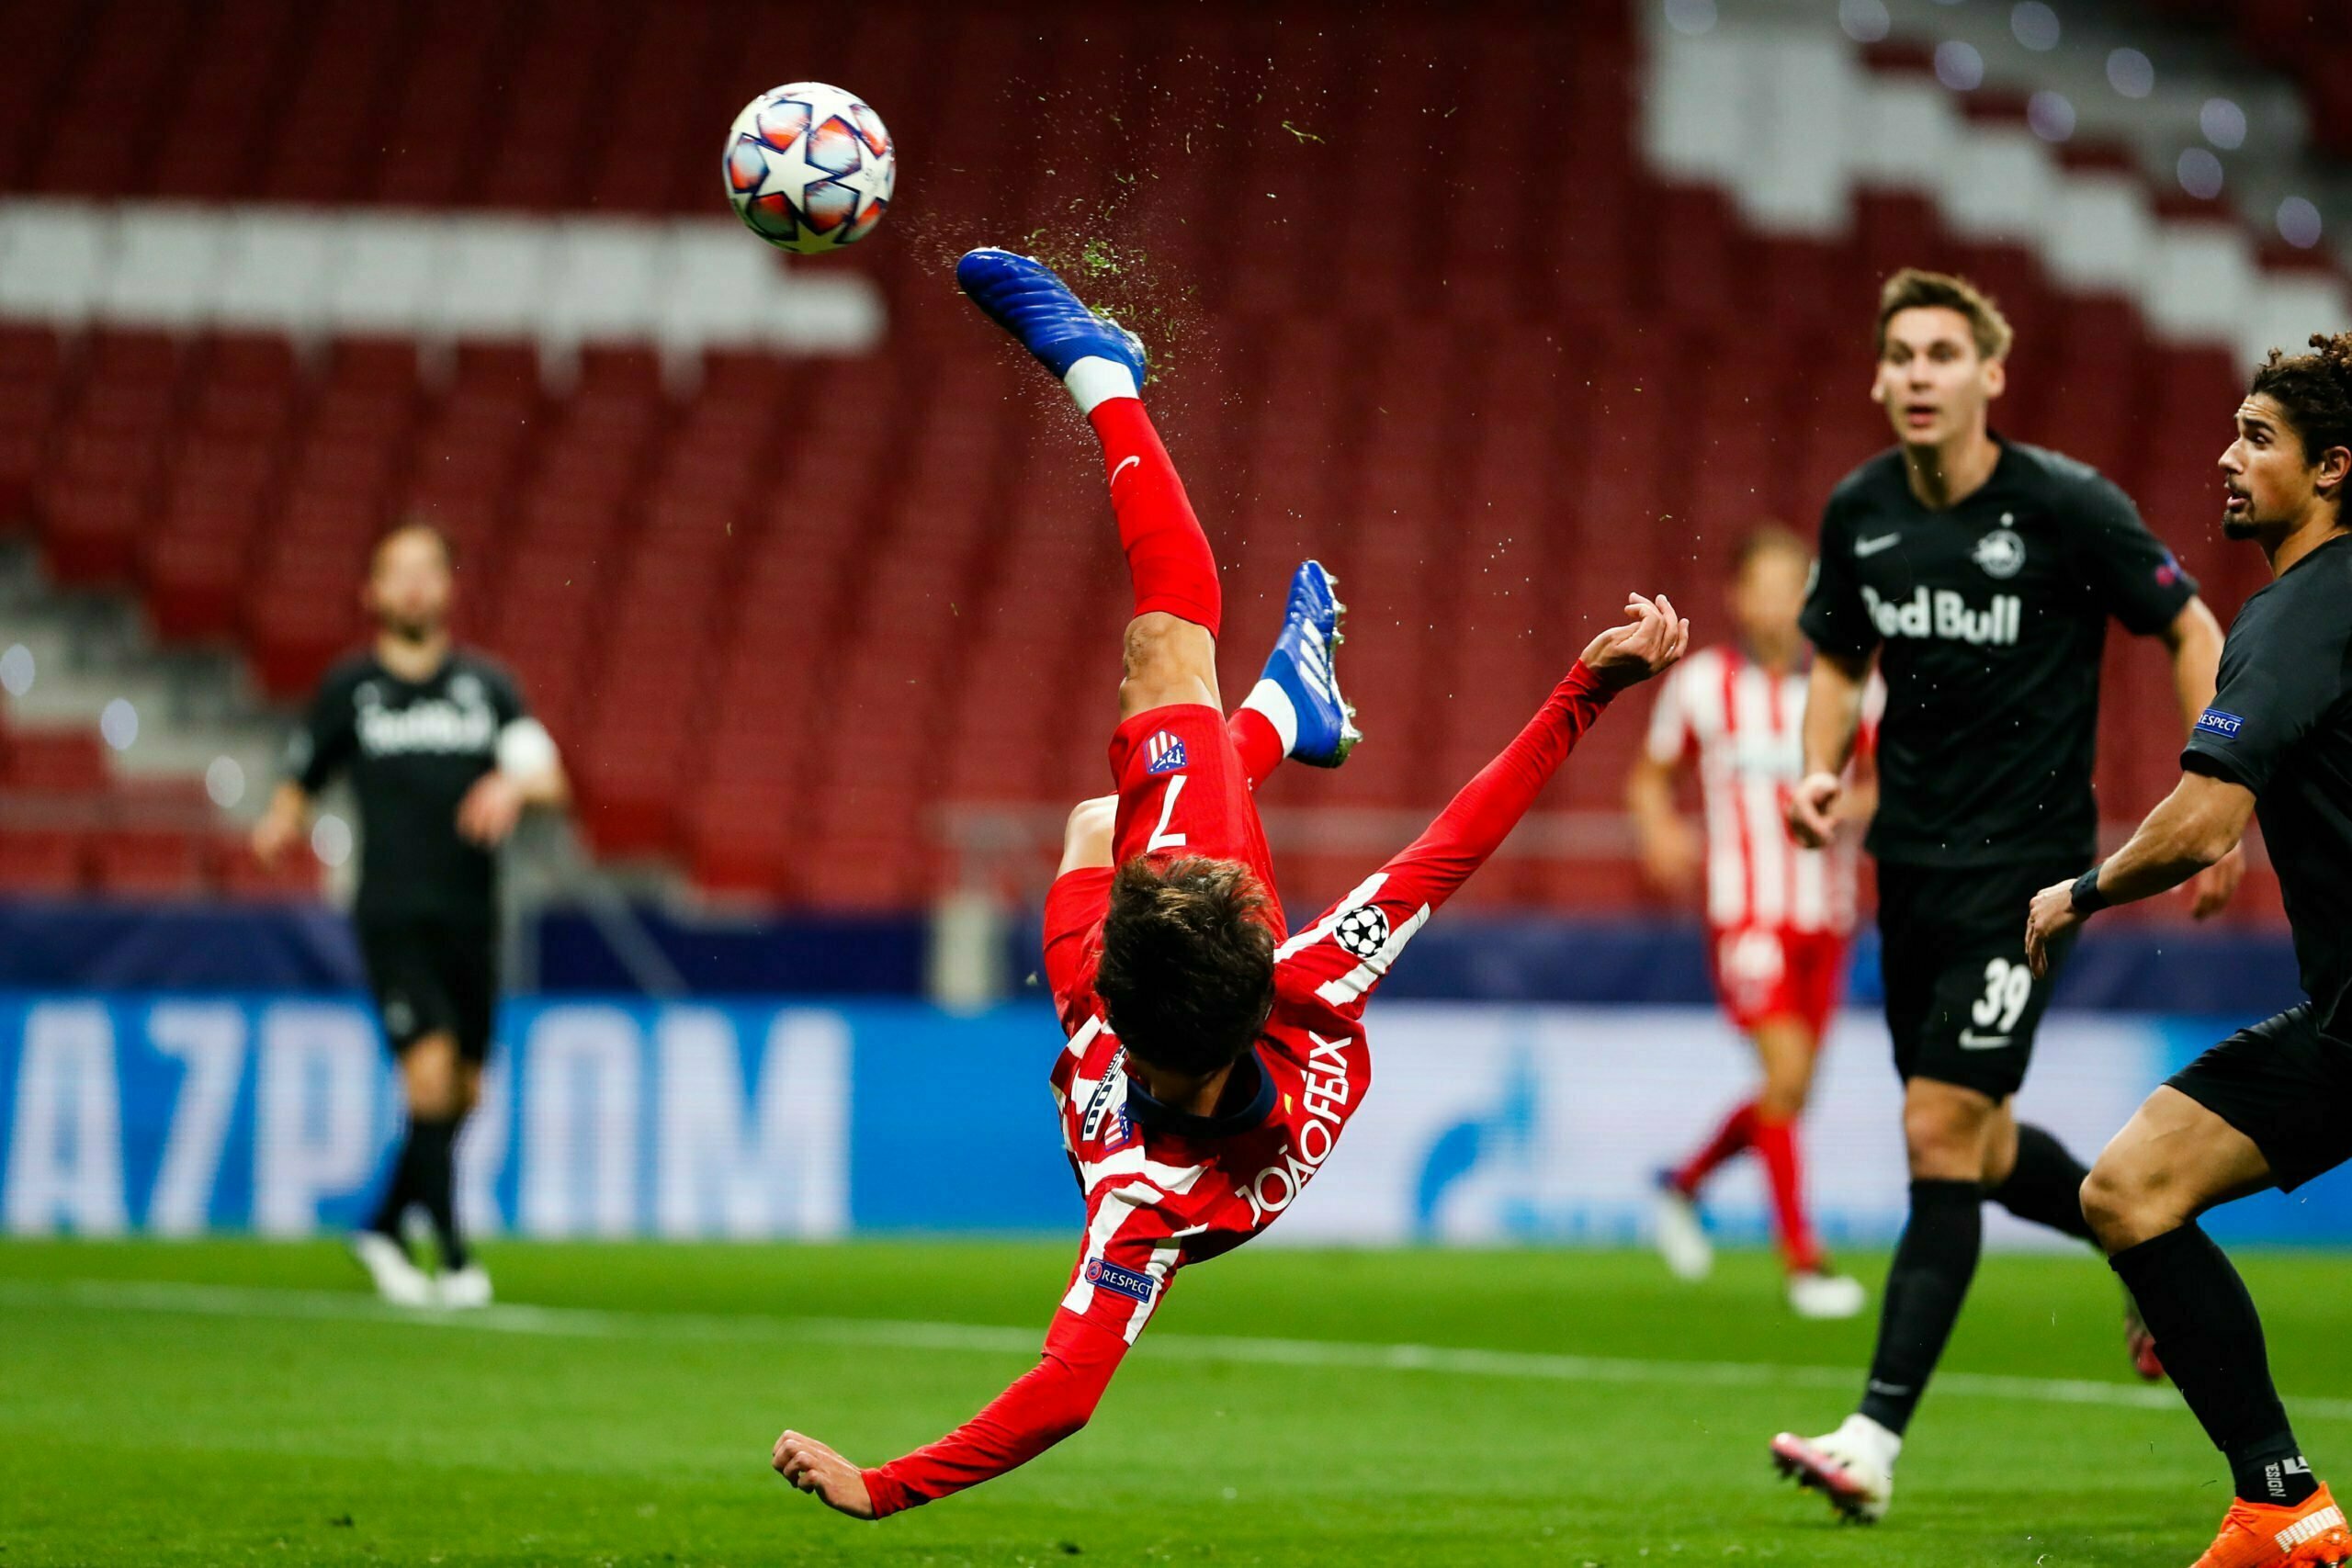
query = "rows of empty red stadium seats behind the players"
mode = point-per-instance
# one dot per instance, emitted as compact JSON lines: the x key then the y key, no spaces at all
{"x":1422,"y":304}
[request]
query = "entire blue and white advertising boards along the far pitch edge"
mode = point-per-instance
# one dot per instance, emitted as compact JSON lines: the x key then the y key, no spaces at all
{"x":615,"y":1118}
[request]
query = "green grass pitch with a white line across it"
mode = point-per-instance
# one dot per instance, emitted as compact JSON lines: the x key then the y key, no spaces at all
{"x":236,"y":1402}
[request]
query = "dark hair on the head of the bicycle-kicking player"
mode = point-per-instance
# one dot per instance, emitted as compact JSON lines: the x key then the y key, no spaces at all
{"x":1189,"y":963}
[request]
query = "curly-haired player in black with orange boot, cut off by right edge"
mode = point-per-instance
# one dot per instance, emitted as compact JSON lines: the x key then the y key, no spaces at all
{"x":2271,"y":1106}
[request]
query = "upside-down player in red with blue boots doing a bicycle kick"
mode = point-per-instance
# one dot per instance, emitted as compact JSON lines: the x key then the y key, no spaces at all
{"x":1212,"y":1057}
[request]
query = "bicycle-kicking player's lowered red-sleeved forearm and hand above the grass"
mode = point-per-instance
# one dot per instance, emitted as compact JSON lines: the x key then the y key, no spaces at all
{"x":1043,"y":1407}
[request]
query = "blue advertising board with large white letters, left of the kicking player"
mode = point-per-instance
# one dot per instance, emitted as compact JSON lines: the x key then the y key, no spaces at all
{"x":599,"y":1118}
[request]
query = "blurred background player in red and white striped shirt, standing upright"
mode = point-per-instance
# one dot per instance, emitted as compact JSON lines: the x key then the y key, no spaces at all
{"x":1779,"y":916}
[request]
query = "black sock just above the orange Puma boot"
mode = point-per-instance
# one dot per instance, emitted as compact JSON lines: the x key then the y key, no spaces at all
{"x":2212,"y":1346}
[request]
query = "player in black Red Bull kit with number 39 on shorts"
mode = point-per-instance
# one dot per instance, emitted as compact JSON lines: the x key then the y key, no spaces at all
{"x":1982,"y":577}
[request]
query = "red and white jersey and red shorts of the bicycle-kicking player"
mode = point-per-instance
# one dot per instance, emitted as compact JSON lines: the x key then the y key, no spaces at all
{"x":1163,"y":1188}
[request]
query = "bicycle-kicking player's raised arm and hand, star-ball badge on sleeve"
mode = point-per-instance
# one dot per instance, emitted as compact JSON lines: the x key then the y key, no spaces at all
{"x":1372,"y":925}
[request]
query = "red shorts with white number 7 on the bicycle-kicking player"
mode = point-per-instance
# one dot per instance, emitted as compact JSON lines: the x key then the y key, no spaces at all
{"x":1182,"y":793}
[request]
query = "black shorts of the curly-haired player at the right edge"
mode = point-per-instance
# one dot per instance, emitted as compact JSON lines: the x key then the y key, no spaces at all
{"x":2287,"y":1087}
